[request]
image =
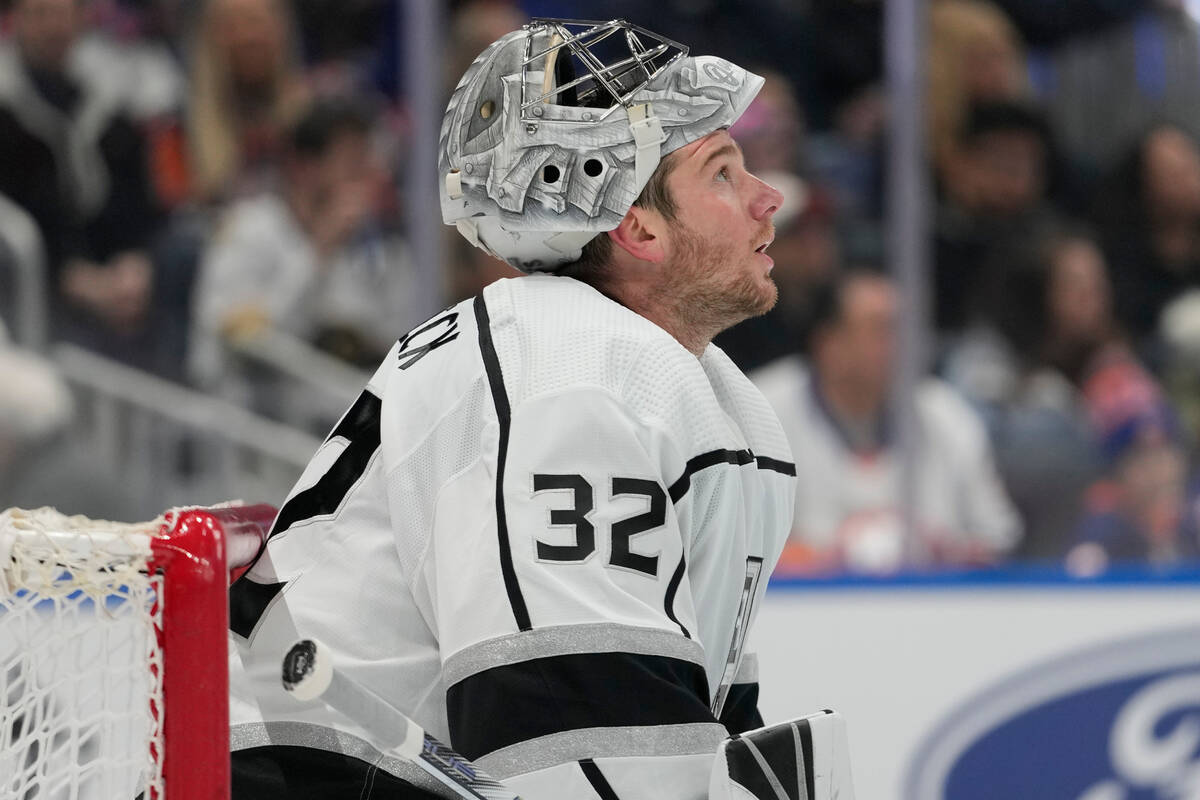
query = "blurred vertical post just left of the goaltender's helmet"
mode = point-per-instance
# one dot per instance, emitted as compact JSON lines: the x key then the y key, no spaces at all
{"x":422,"y":37}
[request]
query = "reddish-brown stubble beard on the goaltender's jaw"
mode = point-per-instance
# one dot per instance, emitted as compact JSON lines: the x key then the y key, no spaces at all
{"x":709,"y":286}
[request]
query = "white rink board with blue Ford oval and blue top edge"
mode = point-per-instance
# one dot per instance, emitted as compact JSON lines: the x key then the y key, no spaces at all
{"x":1015,"y":684}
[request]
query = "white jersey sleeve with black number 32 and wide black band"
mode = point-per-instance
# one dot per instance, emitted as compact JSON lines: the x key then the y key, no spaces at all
{"x":566,"y":623}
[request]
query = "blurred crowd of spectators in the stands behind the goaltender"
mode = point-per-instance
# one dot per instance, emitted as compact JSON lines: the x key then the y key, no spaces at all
{"x":191,"y":181}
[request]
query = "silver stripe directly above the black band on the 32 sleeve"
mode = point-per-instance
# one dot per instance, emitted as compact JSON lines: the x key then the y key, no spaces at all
{"x":568,"y":640}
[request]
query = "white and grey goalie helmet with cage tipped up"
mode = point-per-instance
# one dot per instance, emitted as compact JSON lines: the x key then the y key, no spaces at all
{"x":555,"y":130}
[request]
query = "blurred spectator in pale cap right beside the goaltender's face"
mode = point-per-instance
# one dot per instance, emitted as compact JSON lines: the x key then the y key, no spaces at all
{"x":807,"y":254}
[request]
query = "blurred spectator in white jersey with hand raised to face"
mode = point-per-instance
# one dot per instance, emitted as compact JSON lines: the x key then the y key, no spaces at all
{"x":314,"y":261}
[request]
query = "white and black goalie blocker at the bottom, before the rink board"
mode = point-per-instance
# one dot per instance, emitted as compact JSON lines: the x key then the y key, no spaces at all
{"x":800,"y":760}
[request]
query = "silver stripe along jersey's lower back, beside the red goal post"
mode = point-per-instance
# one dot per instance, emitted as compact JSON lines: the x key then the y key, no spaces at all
{"x":308,"y":735}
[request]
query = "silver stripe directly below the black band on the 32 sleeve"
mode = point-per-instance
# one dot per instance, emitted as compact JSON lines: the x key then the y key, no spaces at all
{"x":689,"y":739}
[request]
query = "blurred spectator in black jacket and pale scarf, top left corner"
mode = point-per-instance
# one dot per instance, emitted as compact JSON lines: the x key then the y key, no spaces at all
{"x":73,"y":158}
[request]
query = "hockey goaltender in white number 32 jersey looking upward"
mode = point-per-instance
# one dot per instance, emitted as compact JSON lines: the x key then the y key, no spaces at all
{"x":543,"y":530}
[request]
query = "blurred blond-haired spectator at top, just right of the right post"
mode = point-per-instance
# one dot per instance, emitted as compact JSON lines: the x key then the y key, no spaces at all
{"x":975,"y":57}
